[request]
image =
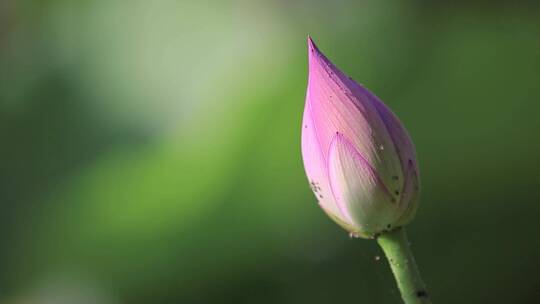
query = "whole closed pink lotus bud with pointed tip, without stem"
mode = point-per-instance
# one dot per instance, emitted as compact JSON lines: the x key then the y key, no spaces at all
{"x":358,"y":157}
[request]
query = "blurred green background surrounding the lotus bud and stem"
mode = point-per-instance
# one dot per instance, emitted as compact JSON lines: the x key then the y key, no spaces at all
{"x":150,"y":150}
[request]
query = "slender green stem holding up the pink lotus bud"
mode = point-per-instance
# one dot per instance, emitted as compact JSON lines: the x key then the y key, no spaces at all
{"x":398,"y":252}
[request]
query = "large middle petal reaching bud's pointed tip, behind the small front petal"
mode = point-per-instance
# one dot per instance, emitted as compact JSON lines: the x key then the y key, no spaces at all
{"x":339,"y":104}
